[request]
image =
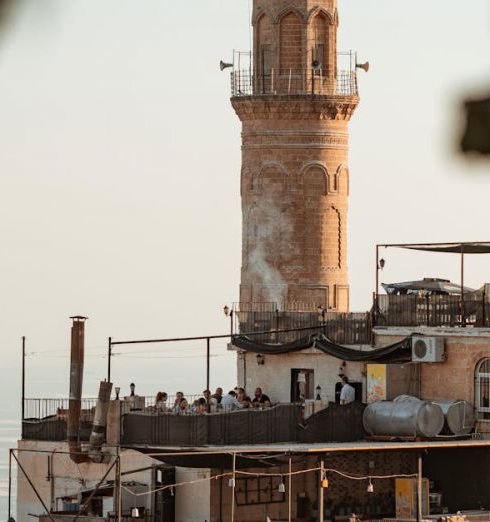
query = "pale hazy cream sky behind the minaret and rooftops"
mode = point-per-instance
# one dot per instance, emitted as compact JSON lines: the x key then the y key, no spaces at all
{"x":120,"y":164}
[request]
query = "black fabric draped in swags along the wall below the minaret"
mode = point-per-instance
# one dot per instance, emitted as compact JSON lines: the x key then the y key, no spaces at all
{"x":396,"y":353}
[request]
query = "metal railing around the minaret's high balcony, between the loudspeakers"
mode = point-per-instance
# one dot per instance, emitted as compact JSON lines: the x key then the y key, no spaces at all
{"x":290,"y":81}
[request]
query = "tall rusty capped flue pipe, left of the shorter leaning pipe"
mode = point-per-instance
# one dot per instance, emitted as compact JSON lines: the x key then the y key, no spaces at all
{"x":76,"y":381}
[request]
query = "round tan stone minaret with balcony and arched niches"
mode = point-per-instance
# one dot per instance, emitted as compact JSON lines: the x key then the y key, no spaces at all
{"x":295,"y":106}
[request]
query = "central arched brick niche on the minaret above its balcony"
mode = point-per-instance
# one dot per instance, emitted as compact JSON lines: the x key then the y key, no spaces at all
{"x":291,"y":44}
